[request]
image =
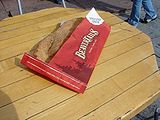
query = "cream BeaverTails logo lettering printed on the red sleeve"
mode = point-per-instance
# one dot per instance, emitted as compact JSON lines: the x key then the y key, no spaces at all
{"x":85,"y":42}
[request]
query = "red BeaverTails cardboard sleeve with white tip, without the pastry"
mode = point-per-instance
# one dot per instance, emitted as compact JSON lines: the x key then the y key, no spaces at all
{"x":75,"y":61}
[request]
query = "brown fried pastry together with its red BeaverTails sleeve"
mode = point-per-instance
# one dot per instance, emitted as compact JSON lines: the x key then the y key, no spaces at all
{"x":69,"y":55}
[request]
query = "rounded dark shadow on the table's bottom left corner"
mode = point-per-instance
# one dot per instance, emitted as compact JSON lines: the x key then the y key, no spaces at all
{"x":7,"y":112}
